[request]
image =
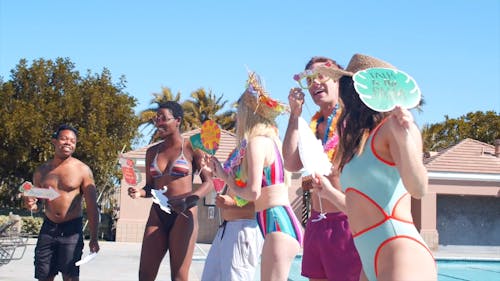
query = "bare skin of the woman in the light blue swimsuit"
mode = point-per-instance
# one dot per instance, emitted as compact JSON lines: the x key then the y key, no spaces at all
{"x":398,"y":141}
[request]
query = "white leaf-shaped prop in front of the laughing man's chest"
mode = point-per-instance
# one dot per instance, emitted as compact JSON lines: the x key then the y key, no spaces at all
{"x":313,"y":157}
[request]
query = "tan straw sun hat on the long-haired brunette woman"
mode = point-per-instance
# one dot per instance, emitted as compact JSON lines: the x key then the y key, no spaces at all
{"x":358,"y":62}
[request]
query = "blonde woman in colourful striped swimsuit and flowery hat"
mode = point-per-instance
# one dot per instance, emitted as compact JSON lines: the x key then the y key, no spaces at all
{"x":254,"y":172}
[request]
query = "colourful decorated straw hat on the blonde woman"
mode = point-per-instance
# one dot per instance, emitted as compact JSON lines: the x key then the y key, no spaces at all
{"x":257,"y":99}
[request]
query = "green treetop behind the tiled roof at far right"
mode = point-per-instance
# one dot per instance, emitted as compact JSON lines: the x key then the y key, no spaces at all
{"x":481,"y":126}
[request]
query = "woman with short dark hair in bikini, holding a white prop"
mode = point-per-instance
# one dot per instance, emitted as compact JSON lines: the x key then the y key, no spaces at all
{"x":171,"y":165}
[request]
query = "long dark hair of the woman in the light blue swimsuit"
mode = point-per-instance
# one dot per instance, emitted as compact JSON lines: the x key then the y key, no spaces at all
{"x":355,"y":123}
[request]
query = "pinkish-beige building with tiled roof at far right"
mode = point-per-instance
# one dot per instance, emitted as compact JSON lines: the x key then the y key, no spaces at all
{"x":462,"y":206}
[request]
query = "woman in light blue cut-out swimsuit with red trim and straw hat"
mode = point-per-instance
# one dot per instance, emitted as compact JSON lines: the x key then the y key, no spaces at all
{"x":380,"y":160}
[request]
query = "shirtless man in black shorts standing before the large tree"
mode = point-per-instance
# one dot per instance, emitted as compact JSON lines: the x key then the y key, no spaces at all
{"x":60,"y":241}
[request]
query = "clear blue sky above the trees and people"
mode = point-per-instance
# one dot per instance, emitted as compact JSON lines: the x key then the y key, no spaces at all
{"x":451,"y":48}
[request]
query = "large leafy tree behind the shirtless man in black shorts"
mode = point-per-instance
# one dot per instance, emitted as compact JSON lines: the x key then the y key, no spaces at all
{"x":40,"y":97}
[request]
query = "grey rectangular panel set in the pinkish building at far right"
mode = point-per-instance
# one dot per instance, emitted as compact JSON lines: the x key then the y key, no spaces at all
{"x":468,"y":220}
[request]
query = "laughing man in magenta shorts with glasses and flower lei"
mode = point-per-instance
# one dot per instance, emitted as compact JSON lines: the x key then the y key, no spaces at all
{"x":324,"y":92}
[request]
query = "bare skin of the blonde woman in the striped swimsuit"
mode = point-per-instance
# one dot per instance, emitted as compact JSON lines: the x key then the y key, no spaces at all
{"x":279,"y":248}
